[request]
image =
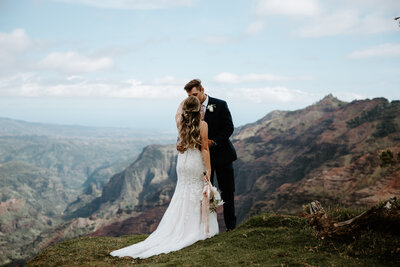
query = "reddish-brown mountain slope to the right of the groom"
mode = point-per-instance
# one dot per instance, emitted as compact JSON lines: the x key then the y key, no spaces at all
{"x":299,"y":156}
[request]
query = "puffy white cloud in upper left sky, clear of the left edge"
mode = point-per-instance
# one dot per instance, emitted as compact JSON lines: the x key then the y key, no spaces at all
{"x":75,"y":63}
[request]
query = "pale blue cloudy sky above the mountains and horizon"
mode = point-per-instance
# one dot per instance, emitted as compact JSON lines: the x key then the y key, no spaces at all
{"x":124,"y":63}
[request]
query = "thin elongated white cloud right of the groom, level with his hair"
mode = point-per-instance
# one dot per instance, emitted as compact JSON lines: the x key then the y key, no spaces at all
{"x":227,"y":77}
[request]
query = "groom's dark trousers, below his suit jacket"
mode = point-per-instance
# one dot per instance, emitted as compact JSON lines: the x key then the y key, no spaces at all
{"x":226,"y":184}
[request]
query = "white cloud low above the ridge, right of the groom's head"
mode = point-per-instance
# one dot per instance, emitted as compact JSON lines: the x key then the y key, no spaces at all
{"x":277,"y":94}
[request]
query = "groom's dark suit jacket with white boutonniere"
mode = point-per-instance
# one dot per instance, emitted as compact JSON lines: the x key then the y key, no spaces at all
{"x":220,"y":128}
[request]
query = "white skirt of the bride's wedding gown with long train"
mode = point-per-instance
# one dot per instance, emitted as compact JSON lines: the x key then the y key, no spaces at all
{"x":181,"y":224}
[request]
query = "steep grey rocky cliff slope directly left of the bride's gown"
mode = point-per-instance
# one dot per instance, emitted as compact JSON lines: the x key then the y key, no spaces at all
{"x":148,"y":181}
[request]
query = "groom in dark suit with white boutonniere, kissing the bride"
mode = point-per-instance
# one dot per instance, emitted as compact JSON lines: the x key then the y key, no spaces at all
{"x":222,"y":152}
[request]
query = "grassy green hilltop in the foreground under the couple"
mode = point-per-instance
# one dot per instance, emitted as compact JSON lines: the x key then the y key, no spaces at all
{"x":263,"y":240}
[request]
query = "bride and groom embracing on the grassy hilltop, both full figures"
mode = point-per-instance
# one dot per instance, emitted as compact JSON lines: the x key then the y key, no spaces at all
{"x":204,"y":124}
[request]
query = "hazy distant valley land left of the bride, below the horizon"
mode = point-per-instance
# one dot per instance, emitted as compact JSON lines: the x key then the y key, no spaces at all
{"x":44,"y":168}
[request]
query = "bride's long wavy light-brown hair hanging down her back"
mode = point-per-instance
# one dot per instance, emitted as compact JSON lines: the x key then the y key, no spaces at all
{"x":189,"y":129}
